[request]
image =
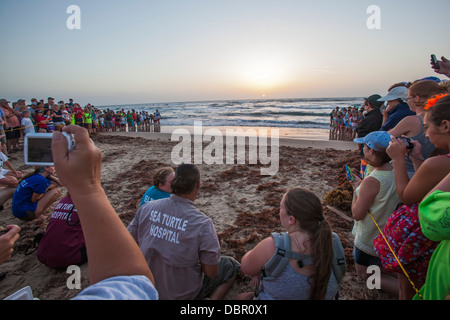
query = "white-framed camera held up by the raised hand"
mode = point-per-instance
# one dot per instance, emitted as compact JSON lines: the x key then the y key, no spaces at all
{"x":37,"y":148}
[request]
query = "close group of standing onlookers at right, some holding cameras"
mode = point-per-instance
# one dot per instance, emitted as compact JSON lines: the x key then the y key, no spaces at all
{"x":405,"y":160}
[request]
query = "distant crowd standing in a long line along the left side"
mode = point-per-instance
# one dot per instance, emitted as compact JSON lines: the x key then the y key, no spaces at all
{"x":40,"y":116}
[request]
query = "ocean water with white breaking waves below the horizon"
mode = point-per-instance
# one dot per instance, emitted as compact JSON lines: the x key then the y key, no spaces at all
{"x":282,"y":113}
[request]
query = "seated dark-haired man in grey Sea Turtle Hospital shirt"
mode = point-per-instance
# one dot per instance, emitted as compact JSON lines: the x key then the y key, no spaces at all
{"x":181,"y":245}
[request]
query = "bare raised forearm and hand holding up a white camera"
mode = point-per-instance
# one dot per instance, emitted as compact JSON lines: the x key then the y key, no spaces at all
{"x":111,"y":249}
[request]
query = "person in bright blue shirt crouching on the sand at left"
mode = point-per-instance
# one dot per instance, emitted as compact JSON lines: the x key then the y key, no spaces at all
{"x":36,"y":193}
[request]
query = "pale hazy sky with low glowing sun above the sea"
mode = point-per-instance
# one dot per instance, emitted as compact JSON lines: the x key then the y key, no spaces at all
{"x":132,"y":51}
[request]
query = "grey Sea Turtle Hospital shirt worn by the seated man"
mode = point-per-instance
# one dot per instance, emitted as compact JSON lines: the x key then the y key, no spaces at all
{"x":176,"y":239}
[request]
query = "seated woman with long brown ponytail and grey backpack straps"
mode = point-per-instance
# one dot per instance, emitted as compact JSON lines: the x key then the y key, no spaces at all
{"x":301,"y":215}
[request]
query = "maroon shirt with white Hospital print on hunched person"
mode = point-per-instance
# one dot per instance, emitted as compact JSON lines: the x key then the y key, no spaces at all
{"x":63,"y":242}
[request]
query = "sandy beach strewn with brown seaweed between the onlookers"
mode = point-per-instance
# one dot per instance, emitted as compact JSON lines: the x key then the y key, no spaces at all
{"x":242,"y":203}
